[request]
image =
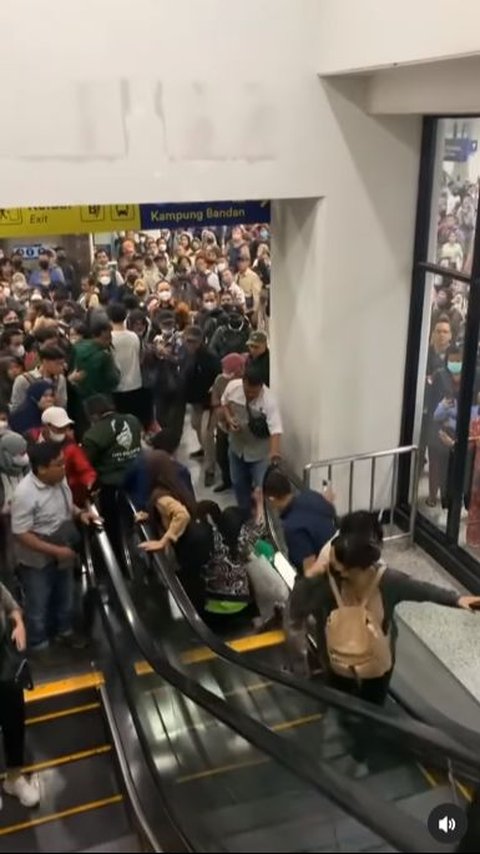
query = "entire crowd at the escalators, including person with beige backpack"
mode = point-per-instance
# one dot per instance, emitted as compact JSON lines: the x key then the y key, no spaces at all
{"x":97,"y":373}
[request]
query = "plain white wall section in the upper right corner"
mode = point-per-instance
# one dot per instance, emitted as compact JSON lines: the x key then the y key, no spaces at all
{"x":363,"y":34}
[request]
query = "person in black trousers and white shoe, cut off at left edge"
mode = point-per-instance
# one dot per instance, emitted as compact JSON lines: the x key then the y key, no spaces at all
{"x":12,"y":704}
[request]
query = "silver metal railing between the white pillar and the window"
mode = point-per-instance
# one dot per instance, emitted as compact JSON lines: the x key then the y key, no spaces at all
{"x":410,"y":451}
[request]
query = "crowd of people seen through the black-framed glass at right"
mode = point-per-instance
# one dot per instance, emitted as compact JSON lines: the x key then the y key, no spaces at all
{"x":455,"y":230}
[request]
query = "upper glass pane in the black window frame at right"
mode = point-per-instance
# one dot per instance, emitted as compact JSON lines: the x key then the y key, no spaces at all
{"x":455,"y":196}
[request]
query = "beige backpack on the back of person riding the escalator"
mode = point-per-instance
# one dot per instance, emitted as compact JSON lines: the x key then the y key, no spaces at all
{"x":356,"y":644}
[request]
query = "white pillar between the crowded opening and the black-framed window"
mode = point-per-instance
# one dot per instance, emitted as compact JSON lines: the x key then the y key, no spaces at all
{"x":340,"y":314}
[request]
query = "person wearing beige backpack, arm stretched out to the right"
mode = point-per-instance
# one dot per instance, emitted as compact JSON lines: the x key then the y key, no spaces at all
{"x":353,"y":595}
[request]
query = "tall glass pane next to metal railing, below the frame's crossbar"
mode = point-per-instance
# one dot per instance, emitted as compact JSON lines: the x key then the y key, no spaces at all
{"x":446,"y":302}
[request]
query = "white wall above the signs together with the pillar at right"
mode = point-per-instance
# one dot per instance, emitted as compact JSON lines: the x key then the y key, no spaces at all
{"x":155,"y":101}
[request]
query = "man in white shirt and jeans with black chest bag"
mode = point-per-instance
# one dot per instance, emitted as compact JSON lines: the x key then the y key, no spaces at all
{"x":255,"y":429}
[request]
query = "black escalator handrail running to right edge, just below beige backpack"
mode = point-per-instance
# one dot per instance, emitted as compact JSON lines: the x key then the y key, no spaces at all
{"x":421,"y":734}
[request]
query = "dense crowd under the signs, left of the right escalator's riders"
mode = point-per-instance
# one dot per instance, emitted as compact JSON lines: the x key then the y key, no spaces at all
{"x":97,"y":370}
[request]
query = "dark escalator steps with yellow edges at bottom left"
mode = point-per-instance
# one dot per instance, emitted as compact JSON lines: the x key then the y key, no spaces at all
{"x":69,"y":749}
